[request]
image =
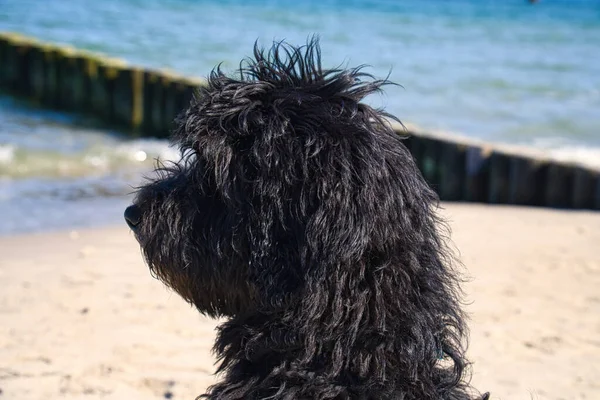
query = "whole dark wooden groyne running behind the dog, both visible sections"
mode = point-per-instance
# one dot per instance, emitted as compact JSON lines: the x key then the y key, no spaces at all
{"x":145,"y":102}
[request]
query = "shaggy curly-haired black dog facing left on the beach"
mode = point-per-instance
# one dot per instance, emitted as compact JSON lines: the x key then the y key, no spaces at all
{"x":297,"y":213}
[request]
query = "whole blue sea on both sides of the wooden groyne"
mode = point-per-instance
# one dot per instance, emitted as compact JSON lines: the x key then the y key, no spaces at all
{"x":510,"y":72}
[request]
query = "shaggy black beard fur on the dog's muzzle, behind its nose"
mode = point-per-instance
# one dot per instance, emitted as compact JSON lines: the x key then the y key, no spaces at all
{"x":188,"y":242}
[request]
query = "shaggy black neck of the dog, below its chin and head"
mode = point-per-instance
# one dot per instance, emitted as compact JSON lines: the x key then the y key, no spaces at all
{"x":262,"y":357}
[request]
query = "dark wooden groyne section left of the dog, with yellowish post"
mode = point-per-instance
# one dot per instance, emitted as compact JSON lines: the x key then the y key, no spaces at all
{"x":144,"y":102}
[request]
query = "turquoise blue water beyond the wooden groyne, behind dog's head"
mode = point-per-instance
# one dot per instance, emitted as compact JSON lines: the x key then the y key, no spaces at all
{"x":501,"y":70}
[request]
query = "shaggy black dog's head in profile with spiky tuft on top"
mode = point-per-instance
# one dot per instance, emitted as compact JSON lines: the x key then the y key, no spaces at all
{"x":286,"y":178}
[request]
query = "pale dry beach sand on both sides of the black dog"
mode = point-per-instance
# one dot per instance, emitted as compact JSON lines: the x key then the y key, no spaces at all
{"x":82,"y":318}
